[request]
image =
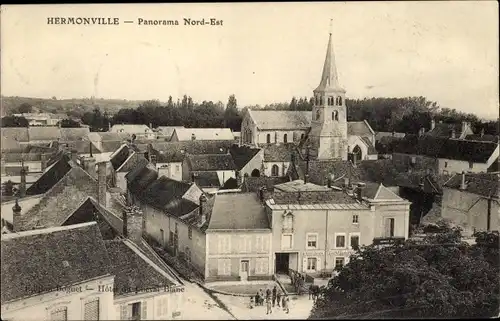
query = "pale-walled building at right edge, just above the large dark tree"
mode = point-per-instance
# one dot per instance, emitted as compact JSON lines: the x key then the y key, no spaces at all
{"x":471,"y":201}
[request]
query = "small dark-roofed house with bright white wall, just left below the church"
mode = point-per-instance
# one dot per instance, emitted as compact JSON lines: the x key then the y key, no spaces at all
{"x":220,"y":164}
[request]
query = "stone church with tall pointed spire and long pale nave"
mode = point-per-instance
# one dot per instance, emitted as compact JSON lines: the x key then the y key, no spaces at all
{"x":325,"y":129}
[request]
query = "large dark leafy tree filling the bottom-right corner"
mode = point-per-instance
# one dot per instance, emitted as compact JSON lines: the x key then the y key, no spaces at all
{"x":439,"y":276}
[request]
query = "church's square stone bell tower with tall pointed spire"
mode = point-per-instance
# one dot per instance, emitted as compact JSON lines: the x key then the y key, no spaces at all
{"x":328,"y":136}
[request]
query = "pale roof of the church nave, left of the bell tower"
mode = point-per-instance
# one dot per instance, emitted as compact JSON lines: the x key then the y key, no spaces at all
{"x":274,"y":119}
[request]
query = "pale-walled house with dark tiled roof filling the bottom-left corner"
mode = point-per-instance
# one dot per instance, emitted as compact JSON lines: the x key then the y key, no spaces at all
{"x":63,"y":283}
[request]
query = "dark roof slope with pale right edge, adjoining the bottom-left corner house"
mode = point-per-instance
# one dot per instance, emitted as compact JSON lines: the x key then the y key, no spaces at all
{"x":132,"y":269}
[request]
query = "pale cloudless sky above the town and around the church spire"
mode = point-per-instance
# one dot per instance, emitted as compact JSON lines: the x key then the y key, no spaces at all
{"x":263,"y":52}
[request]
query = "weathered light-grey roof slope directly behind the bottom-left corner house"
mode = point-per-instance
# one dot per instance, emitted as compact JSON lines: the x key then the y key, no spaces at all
{"x":61,"y":200}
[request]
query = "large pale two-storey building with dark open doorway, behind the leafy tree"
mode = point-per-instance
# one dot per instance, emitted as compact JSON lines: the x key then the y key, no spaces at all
{"x":315,"y":228}
